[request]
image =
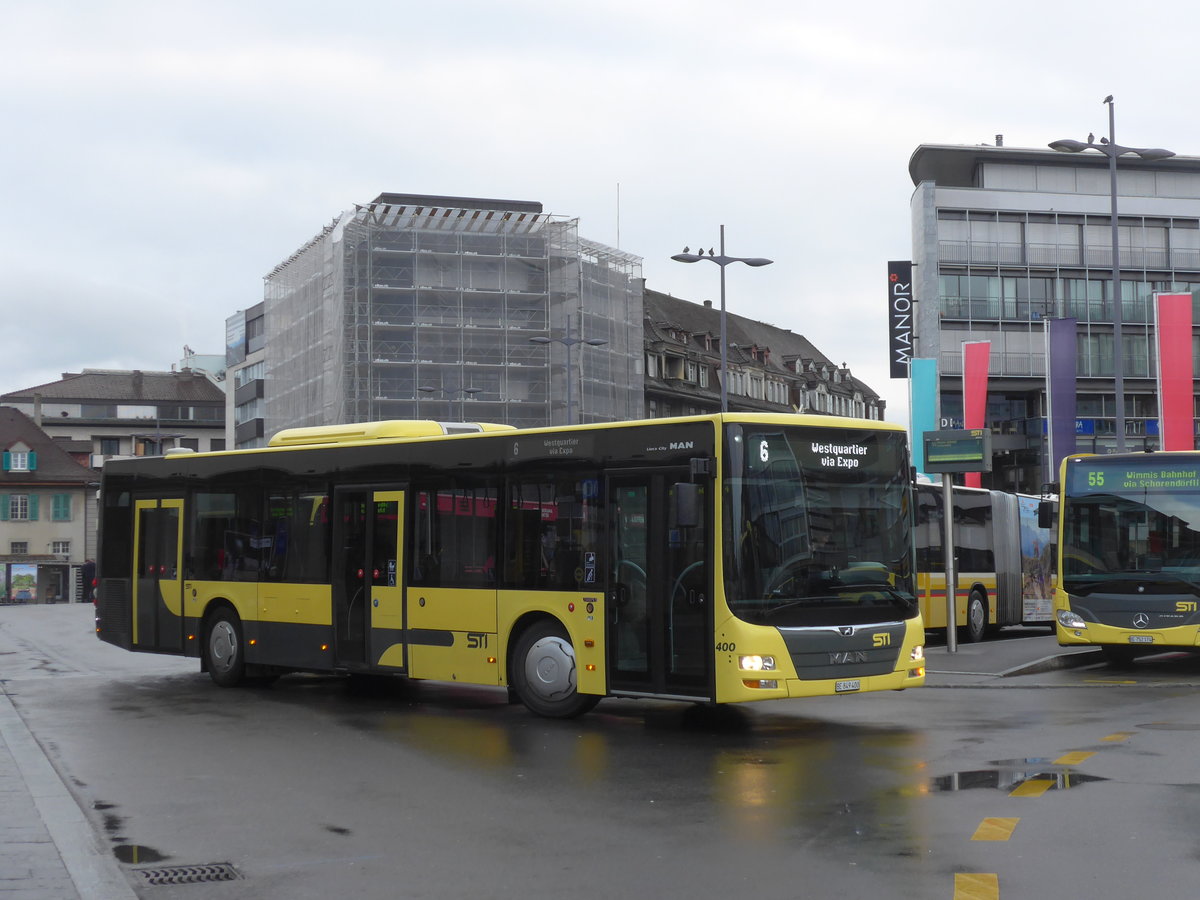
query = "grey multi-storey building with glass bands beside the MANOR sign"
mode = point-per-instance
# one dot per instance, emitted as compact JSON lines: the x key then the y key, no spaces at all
{"x":1006,"y":239}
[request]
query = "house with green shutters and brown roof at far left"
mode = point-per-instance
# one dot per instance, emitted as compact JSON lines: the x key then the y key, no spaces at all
{"x":47,"y":517}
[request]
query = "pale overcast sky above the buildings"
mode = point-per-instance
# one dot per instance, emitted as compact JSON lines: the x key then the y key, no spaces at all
{"x":159,"y":159}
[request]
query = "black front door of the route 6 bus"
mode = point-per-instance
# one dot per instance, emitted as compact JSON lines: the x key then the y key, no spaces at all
{"x":659,"y":629}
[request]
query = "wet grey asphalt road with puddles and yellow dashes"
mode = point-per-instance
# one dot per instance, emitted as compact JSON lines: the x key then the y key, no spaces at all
{"x":1082,"y":783}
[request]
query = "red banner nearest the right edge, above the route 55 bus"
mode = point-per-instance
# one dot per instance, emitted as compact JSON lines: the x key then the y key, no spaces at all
{"x":1173,"y":322}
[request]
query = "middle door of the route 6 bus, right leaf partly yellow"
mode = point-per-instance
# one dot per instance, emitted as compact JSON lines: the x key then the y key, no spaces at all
{"x":368,"y":593}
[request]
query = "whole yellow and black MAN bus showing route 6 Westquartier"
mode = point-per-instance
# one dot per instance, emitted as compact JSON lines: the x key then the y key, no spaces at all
{"x":716,"y":560}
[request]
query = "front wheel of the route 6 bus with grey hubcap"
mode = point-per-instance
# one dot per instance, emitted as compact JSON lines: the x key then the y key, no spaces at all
{"x":544,"y":674}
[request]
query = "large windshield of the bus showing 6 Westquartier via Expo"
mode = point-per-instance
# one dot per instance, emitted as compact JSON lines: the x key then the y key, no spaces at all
{"x":819,"y":525}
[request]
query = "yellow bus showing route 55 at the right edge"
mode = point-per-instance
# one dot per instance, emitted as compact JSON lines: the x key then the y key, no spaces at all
{"x":1130,"y":541}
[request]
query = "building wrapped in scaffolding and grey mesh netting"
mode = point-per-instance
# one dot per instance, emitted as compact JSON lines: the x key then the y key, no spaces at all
{"x":448,"y":309}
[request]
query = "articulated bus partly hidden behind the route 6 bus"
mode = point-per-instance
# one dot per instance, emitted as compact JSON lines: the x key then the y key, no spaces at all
{"x":1005,"y":561}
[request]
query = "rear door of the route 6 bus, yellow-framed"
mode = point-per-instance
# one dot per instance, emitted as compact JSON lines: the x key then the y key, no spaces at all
{"x":158,"y":587}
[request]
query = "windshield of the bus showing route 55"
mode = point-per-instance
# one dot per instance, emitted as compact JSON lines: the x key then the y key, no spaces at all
{"x":1132,"y":519}
